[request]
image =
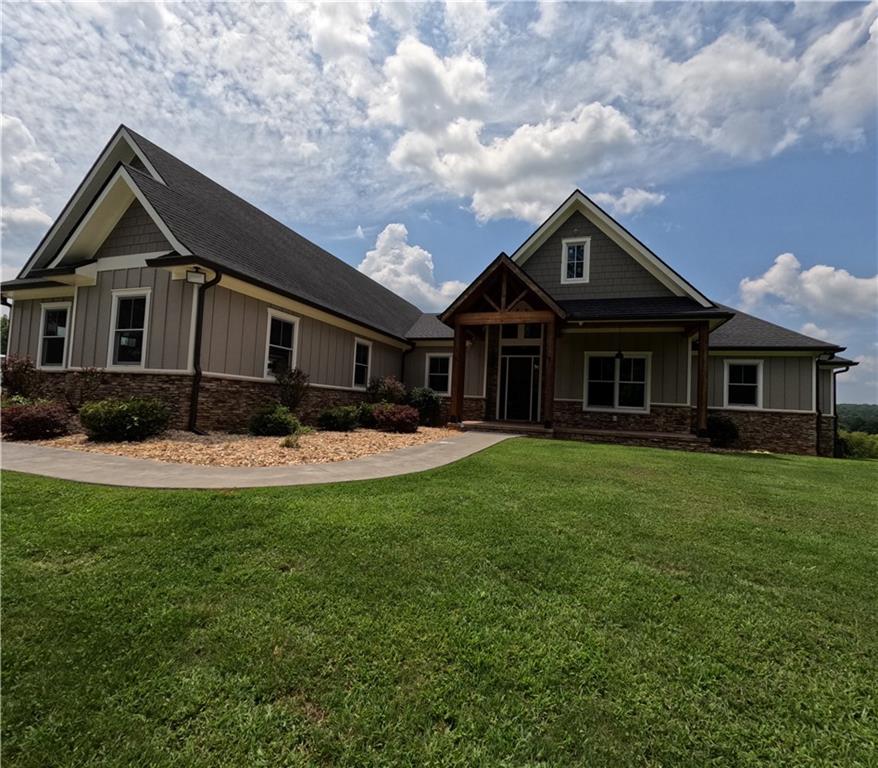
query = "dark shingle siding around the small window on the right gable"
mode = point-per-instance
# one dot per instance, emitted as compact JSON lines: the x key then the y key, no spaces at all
{"x":613,"y":274}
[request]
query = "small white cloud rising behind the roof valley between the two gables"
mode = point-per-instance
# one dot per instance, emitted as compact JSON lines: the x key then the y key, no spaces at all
{"x":408,"y":270}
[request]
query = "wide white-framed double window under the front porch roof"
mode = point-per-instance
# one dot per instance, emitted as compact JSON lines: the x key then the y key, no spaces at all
{"x":617,"y":384}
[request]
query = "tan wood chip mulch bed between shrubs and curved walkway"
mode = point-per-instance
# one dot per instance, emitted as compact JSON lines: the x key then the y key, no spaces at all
{"x":221,"y":449}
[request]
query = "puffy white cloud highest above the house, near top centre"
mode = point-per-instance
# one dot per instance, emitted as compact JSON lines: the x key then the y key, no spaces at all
{"x":425,"y":92}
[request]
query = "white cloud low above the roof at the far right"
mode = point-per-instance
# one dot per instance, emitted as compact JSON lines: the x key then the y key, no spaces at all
{"x":819,"y":289}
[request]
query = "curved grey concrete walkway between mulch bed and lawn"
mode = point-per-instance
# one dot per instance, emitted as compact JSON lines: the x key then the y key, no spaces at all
{"x":106,"y":469}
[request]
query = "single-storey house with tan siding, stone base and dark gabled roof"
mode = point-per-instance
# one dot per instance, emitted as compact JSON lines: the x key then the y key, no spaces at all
{"x":176,"y":287}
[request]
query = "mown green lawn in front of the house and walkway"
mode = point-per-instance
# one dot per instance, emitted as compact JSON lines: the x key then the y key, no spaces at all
{"x":539,"y":604}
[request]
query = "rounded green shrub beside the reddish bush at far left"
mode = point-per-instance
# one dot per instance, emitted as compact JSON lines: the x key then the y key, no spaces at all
{"x":130,"y":420}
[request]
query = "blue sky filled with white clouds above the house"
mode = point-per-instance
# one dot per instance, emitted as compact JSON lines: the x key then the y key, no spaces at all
{"x":417,"y":141}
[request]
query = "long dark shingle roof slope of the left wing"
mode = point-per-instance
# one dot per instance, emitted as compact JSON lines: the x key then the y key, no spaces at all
{"x":220,"y":227}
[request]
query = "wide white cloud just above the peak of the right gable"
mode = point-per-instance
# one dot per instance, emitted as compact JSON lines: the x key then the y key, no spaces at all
{"x":525,"y":174}
